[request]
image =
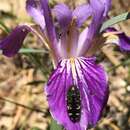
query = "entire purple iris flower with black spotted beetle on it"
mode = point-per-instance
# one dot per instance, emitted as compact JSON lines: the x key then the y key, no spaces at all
{"x":77,"y":90}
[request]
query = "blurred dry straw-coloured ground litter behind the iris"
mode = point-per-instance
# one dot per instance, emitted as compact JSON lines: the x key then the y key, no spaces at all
{"x":23,"y":104}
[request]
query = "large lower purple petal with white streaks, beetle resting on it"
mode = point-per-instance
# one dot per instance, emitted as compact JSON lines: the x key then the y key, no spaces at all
{"x":83,"y":75}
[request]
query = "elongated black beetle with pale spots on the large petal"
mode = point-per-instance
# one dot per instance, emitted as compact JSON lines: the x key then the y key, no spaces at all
{"x":74,"y":104}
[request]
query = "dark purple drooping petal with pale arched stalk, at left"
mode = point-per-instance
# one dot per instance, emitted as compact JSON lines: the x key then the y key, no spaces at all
{"x":13,"y":42}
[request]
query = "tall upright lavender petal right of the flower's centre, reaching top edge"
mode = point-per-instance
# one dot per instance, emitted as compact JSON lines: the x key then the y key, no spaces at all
{"x":100,"y":10}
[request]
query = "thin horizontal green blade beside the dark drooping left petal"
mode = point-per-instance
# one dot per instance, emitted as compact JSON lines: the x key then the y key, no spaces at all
{"x":30,"y":50}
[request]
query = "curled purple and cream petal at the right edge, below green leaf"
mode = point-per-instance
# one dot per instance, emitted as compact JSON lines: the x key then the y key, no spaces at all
{"x":122,"y":40}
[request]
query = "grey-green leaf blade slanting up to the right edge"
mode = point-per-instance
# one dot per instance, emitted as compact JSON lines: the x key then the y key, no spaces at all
{"x":115,"y":20}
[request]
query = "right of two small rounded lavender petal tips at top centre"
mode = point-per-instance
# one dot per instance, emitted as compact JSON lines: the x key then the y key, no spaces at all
{"x":81,"y":13}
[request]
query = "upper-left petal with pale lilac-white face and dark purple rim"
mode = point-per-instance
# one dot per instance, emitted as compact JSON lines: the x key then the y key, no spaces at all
{"x":33,"y":8}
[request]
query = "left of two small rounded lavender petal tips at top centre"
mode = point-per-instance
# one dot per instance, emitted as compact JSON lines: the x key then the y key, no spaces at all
{"x":63,"y":15}
